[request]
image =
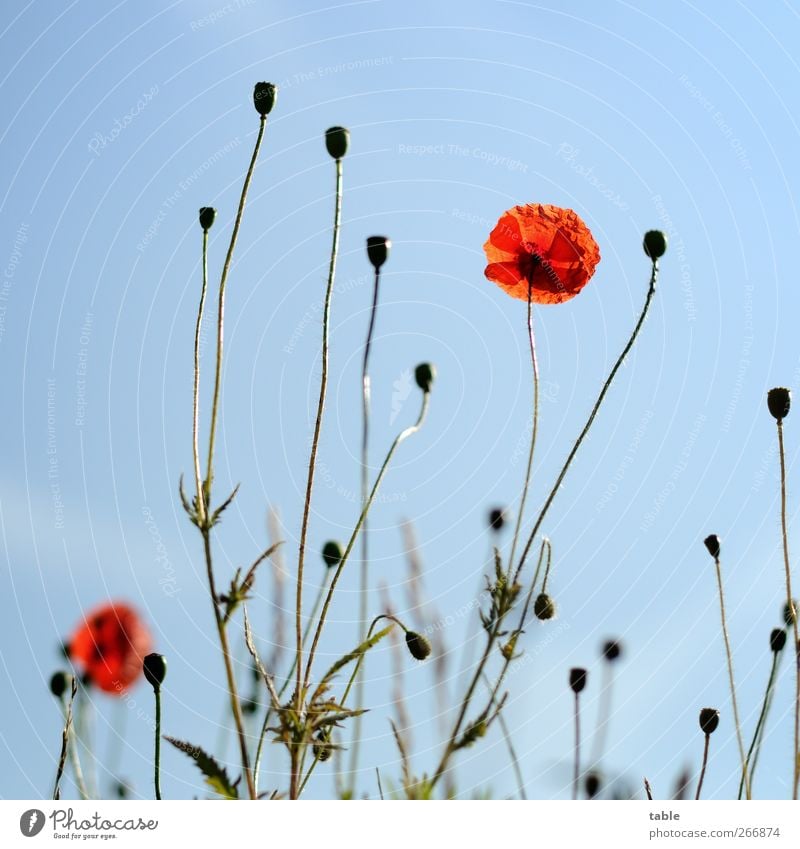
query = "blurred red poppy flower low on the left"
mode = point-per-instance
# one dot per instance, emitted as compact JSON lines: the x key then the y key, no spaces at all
{"x":110,"y":644}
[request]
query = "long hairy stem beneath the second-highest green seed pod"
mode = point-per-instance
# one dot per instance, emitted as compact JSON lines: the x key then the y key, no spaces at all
{"x":312,"y":462}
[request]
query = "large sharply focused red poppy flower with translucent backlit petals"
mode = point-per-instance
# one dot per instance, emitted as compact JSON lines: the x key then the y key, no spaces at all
{"x":544,"y":246}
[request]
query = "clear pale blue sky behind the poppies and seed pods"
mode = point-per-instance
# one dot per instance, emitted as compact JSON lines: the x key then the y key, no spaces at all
{"x":120,"y":120}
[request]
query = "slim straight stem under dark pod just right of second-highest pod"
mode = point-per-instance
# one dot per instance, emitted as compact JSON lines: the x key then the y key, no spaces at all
{"x":364,"y":587}
